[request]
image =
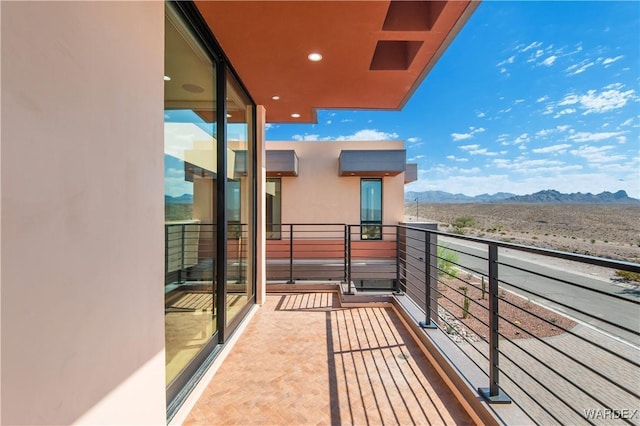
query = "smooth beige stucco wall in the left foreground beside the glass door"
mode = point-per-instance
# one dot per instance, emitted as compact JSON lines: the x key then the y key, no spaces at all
{"x":82,"y":213}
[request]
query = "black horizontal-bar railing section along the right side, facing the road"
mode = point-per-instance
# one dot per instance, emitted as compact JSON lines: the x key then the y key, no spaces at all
{"x":560,"y":344}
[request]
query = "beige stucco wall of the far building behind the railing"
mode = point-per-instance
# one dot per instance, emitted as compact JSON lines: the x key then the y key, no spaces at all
{"x":319,"y":195}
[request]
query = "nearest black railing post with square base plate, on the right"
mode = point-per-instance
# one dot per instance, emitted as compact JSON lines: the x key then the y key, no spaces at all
{"x":493,"y":394}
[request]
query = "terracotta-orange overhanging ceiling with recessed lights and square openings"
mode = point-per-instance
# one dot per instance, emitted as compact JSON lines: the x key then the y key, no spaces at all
{"x":374,"y":53}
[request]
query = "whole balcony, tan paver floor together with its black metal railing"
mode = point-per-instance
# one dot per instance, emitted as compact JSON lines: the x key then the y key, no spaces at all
{"x":459,"y":330}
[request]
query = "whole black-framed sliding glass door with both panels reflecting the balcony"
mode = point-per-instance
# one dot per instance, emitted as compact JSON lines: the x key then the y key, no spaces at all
{"x":209,"y":198}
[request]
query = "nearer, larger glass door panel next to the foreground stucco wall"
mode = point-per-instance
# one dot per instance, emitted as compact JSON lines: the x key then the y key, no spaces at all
{"x":189,"y":176}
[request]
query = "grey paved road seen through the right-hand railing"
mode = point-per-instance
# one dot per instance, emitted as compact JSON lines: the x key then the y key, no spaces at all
{"x":601,"y":306}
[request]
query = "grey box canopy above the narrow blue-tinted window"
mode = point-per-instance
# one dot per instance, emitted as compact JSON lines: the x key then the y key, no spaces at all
{"x":372,"y":163}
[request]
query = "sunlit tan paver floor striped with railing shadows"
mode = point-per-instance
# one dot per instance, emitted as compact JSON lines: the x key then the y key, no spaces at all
{"x":303,"y":360}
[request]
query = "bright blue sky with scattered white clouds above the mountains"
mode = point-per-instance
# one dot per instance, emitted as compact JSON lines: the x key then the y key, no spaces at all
{"x":529,"y":96}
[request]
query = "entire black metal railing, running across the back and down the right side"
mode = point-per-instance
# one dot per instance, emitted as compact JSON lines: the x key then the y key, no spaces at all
{"x":561,"y":344}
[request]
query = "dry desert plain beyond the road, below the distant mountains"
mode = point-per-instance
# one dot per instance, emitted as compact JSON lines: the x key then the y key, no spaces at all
{"x":611,"y":231}
